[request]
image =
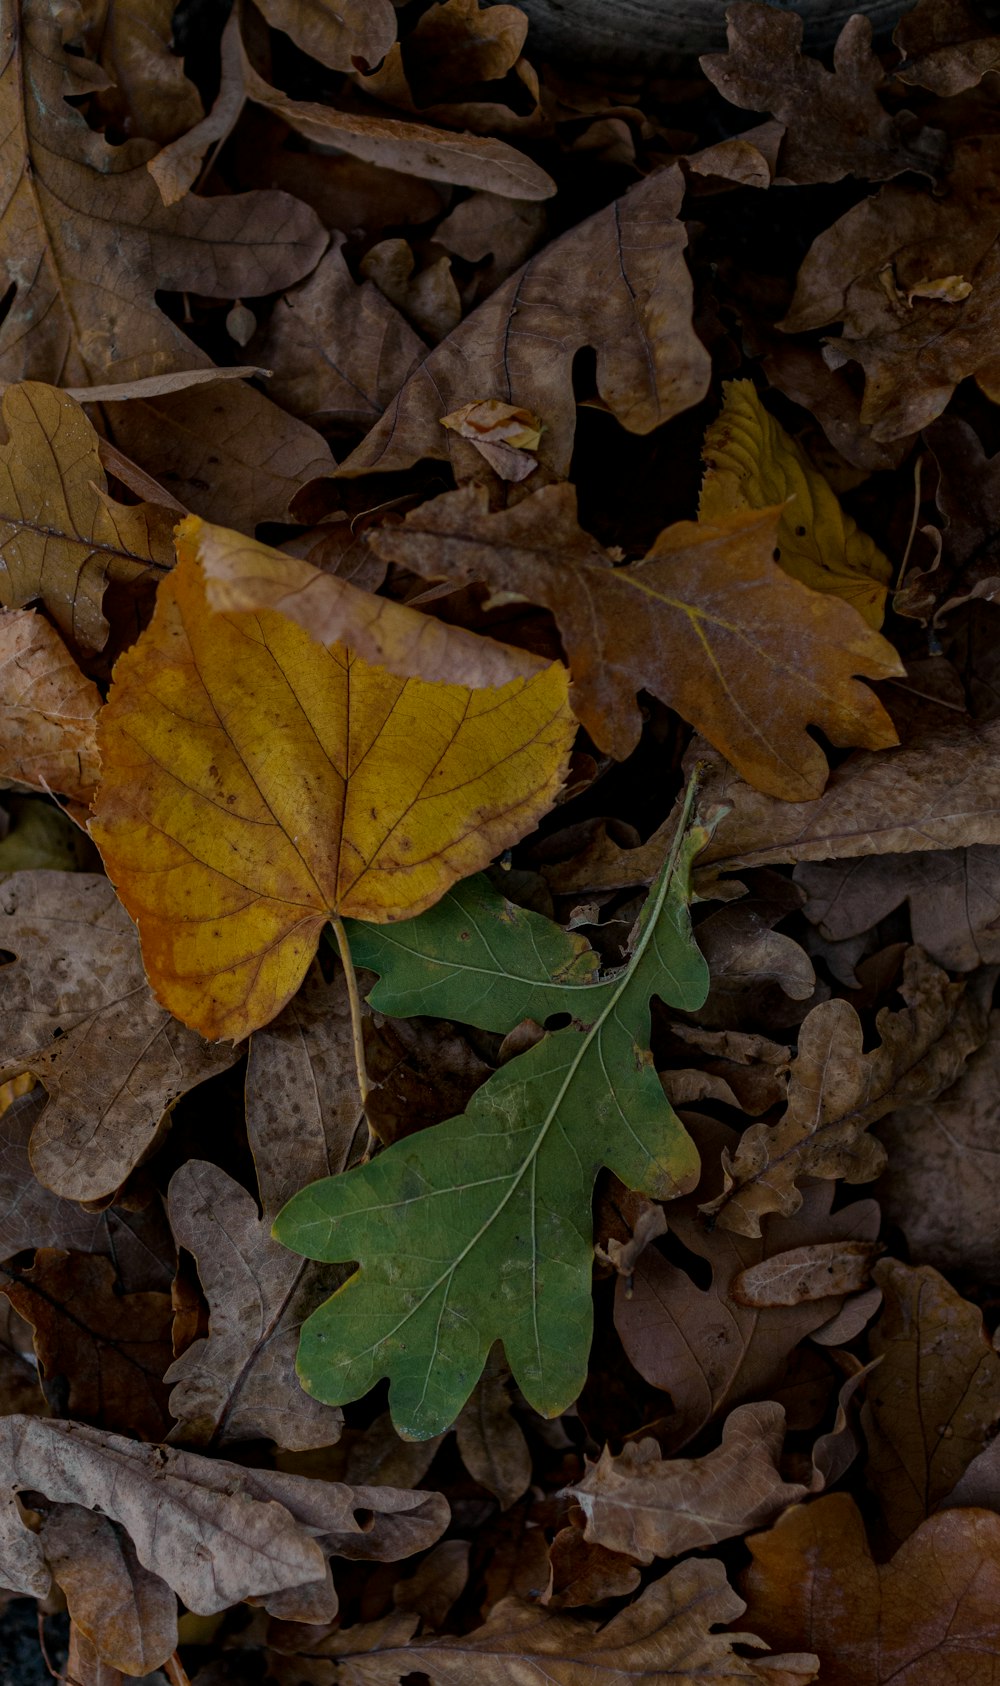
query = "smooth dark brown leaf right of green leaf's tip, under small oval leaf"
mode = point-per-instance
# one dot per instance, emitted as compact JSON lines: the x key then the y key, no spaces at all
{"x":697,"y":1343}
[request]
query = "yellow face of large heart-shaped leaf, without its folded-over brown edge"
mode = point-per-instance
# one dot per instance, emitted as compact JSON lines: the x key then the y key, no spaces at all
{"x":257,"y":783}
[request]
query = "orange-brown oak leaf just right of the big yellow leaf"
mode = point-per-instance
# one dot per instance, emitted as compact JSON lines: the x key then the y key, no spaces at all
{"x":704,"y":621}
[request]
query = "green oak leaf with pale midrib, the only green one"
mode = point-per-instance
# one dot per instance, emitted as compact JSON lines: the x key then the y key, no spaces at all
{"x":480,"y":1230}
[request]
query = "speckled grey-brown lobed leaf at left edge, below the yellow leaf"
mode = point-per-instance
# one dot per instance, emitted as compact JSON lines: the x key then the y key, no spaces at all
{"x":82,"y":1018}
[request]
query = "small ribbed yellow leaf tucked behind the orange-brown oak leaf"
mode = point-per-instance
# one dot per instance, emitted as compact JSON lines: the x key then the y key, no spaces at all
{"x":751,"y":464}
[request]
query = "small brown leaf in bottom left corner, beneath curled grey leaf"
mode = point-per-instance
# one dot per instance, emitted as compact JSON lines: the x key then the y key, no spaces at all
{"x":129,"y":1614}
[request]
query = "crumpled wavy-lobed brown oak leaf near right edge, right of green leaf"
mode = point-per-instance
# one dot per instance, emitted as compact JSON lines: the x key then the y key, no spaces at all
{"x":837,"y":1092}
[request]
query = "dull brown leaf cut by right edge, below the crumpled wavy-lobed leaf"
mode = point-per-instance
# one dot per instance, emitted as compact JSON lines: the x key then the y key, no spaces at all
{"x":944,"y":1179}
